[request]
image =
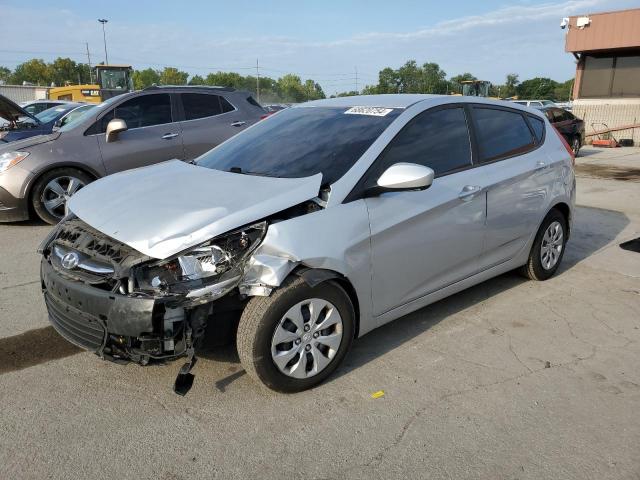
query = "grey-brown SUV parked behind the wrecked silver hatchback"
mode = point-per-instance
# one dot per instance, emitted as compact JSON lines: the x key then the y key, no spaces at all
{"x":128,"y":131}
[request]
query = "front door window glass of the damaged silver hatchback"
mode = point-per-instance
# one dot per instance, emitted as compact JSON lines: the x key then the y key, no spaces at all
{"x":438,"y":139}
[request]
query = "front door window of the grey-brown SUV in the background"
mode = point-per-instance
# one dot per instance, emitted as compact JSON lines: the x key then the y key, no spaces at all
{"x":141,"y":111}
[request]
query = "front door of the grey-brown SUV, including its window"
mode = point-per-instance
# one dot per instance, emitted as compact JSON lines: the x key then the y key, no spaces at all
{"x":152,"y":135}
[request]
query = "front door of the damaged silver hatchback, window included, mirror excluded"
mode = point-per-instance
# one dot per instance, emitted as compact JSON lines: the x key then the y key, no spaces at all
{"x":422,"y":241}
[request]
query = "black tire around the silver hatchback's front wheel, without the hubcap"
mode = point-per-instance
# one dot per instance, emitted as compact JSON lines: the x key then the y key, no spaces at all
{"x":260,"y":319}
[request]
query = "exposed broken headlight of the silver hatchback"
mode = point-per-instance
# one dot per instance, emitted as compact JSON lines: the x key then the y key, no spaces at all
{"x":218,"y":261}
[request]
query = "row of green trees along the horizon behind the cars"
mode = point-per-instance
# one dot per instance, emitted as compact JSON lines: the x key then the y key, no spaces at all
{"x":409,"y":78}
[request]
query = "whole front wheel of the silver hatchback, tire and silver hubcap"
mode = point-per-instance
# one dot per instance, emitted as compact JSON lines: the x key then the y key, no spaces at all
{"x":295,"y":338}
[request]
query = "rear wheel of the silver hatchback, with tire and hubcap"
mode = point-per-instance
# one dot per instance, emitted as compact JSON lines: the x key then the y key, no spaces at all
{"x":548,"y":248}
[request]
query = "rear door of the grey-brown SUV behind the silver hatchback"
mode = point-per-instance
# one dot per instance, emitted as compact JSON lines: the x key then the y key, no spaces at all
{"x":209,"y":119}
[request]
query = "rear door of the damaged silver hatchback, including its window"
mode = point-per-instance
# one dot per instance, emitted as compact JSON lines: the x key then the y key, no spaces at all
{"x":517,"y":174}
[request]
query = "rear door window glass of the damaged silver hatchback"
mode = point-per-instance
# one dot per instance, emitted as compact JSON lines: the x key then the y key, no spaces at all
{"x":501,"y":133}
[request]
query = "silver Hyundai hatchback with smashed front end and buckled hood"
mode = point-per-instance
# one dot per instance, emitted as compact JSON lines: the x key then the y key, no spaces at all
{"x":307,"y":230}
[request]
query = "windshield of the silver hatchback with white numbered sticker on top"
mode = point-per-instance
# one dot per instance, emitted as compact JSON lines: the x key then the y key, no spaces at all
{"x":300,"y":142}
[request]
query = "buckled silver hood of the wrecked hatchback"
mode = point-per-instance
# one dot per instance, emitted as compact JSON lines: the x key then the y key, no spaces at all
{"x":166,"y":208}
